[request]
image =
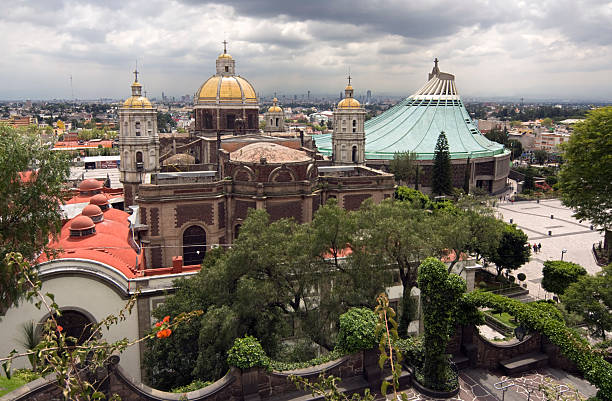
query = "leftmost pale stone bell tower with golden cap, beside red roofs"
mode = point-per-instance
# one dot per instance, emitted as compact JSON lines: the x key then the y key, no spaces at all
{"x":138,"y":142}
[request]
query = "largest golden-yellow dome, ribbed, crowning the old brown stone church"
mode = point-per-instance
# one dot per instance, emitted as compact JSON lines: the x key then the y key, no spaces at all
{"x":231,"y":89}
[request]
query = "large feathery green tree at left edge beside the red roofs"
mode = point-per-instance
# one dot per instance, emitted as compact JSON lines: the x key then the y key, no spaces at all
{"x":32,"y":186}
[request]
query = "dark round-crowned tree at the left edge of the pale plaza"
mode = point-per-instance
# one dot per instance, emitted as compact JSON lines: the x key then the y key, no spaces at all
{"x":513,"y":250}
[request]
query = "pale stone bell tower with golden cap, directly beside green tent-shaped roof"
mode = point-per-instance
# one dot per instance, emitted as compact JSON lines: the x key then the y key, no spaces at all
{"x":348,"y":137}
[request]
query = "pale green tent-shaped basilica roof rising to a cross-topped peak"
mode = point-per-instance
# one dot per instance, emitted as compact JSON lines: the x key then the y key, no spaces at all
{"x":414,"y":124}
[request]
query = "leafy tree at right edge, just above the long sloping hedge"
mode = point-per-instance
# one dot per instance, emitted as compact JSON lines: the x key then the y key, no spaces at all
{"x":591,"y":297}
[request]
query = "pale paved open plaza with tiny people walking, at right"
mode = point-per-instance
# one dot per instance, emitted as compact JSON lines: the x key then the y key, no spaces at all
{"x":566,"y":232}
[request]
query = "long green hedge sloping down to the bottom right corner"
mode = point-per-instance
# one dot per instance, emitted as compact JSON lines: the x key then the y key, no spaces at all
{"x":540,"y":319}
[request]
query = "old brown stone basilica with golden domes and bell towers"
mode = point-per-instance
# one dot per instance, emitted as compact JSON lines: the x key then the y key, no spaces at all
{"x":185,"y":210}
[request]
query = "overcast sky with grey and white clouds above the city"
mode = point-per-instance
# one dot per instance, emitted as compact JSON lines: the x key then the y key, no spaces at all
{"x":550,"y":48}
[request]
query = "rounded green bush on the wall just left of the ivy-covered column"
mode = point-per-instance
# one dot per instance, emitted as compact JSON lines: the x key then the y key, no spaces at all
{"x":357,"y":330}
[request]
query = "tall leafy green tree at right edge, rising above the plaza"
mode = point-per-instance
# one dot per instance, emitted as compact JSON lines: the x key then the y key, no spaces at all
{"x":585,"y":176}
